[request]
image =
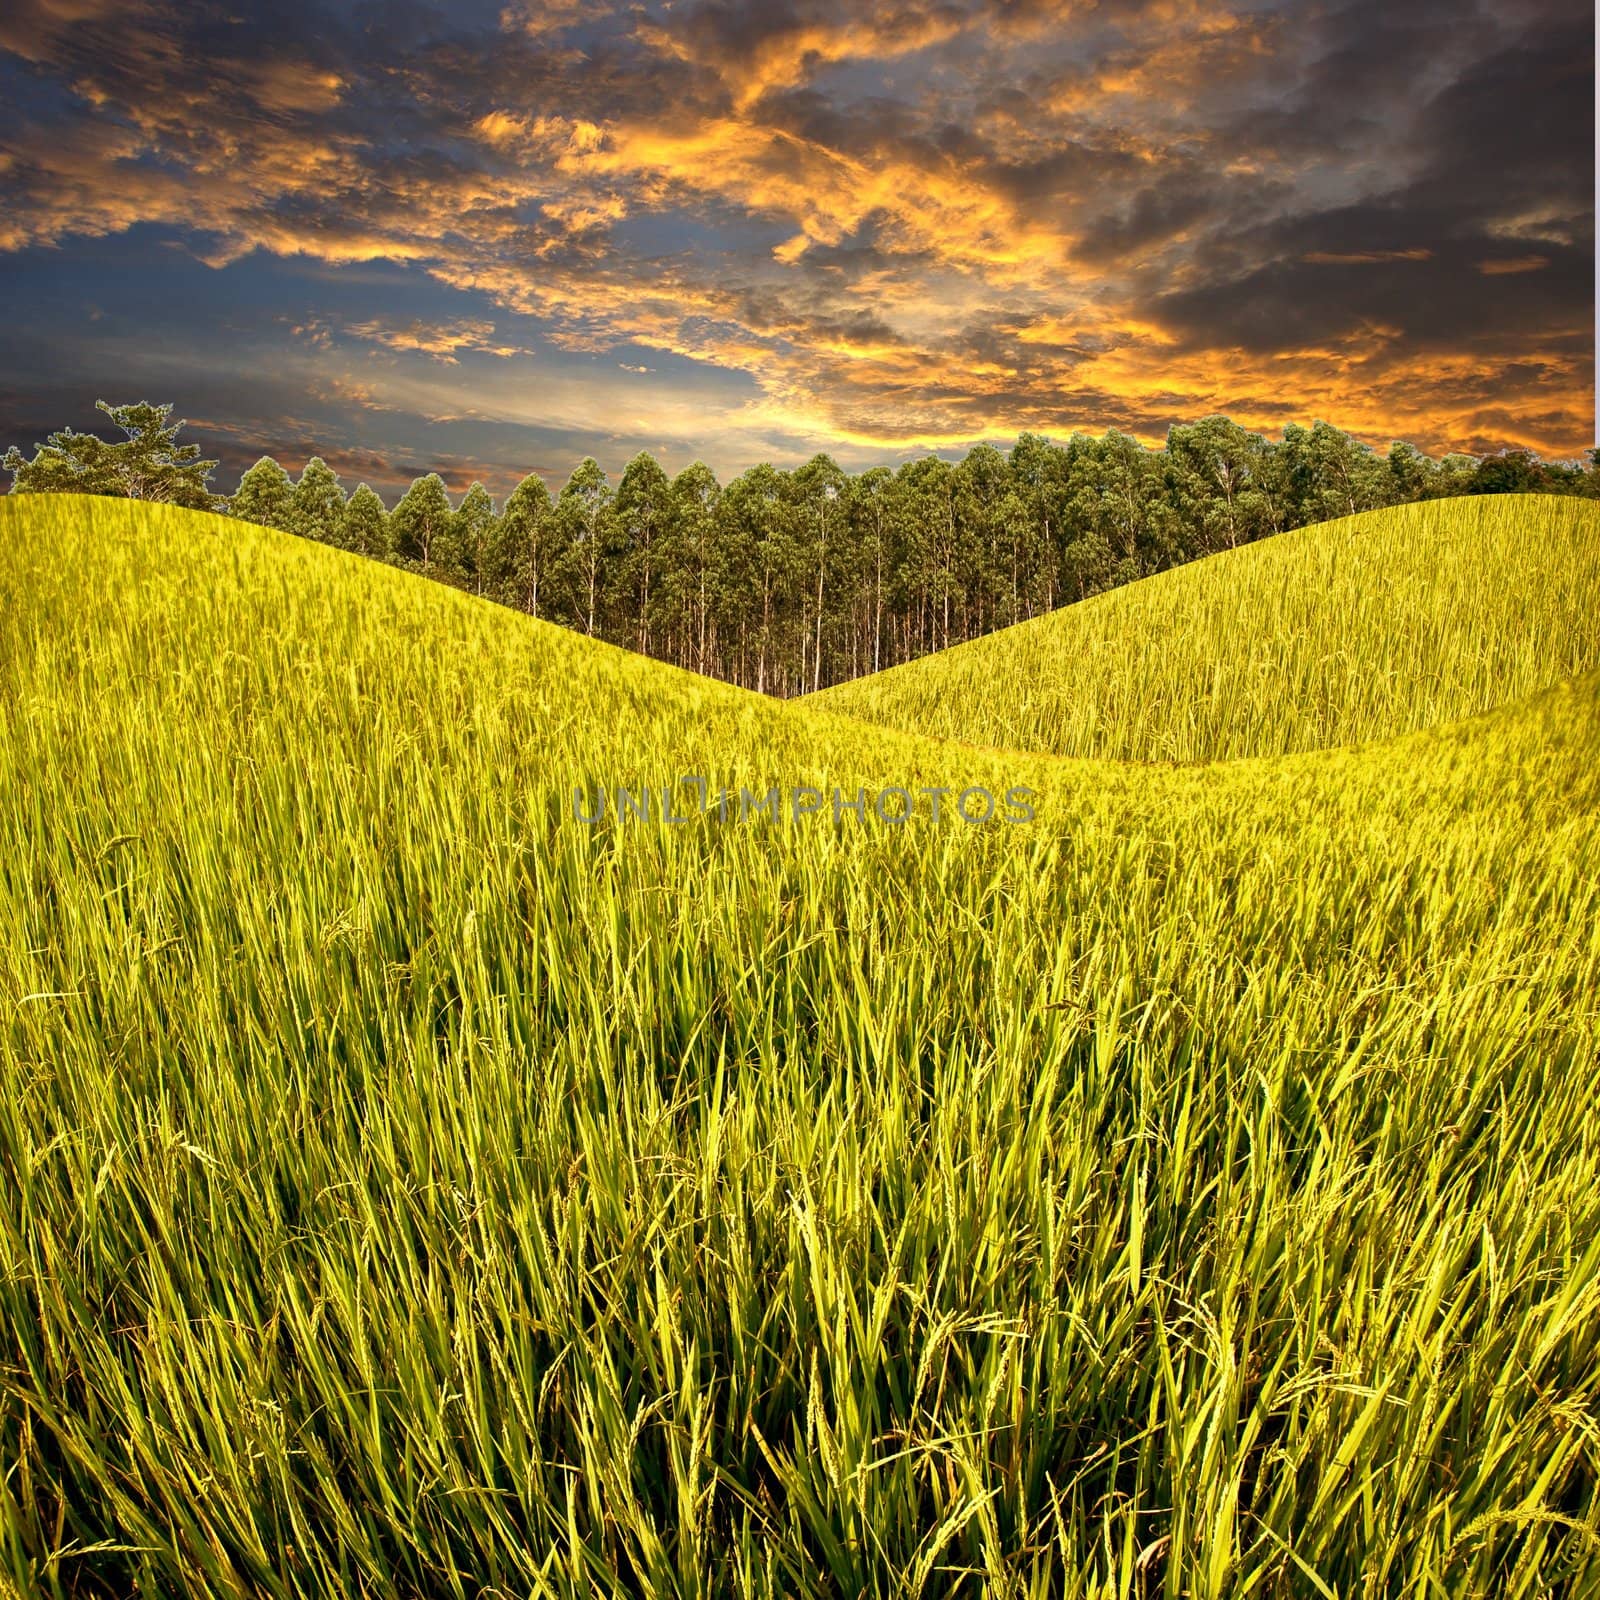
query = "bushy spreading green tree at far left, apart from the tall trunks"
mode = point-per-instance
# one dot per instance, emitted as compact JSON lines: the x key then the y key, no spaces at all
{"x":146,"y":465}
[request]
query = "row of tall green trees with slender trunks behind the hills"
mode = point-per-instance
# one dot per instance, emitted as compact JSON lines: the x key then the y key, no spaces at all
{"x":786,"y":582}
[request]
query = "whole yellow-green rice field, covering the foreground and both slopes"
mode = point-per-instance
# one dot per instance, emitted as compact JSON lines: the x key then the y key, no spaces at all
{"x":409,"y":1190}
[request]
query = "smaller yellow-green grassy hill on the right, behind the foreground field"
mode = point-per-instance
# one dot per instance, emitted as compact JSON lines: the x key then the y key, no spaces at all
{"x":1335,"y":634}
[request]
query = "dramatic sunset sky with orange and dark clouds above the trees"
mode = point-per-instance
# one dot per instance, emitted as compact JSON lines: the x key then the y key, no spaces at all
{"x":487,"y":239}
